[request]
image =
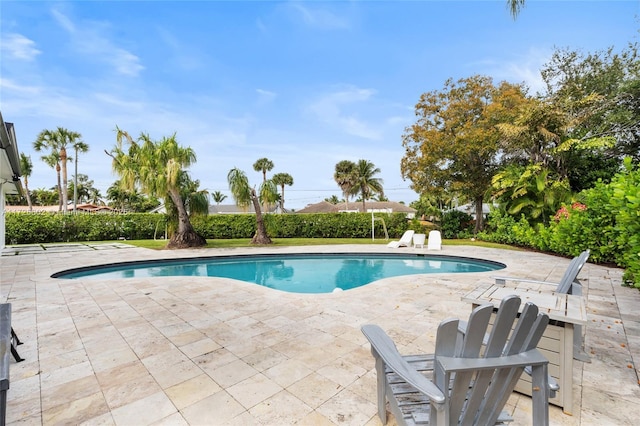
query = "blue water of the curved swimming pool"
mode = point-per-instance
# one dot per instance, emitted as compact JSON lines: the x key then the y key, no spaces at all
{"x":309,"y":273}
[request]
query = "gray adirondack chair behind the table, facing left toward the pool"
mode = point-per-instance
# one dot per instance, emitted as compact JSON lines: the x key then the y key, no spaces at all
{"x":569,"y":284}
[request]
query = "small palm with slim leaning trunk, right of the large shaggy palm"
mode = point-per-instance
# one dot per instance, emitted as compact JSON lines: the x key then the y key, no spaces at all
{"x":244,"y":195}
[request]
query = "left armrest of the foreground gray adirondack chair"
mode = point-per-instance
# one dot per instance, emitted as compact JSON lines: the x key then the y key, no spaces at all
{"x":383,"y":347}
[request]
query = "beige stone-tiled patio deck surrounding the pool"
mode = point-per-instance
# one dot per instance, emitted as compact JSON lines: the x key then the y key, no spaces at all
{"x":213,"y":351}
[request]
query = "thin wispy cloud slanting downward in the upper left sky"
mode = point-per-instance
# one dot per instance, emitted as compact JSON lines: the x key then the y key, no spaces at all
{"x":88,"y":39}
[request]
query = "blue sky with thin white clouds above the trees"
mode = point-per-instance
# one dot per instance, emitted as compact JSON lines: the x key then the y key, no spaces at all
{"x":304,"y":83}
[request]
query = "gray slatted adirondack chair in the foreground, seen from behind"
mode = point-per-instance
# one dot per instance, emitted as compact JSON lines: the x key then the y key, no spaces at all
{"x":465,"y":381}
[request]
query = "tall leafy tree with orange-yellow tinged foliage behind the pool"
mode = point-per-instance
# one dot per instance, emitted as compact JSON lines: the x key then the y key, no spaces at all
{"x":454,"y":146}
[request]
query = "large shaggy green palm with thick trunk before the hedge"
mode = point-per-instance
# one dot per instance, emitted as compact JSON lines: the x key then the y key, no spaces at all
{"x":157,"y":167}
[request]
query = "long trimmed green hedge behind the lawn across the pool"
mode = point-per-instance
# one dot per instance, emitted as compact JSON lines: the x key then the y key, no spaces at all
{"x":32,"y":228}
